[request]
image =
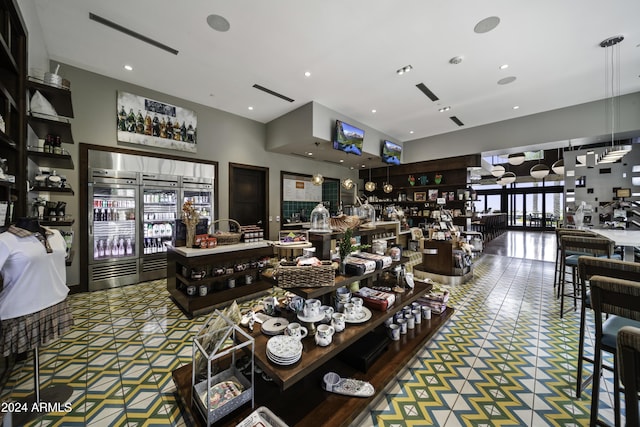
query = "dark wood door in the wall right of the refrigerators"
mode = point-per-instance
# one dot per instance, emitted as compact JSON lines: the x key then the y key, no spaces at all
{"x":248,"y":195}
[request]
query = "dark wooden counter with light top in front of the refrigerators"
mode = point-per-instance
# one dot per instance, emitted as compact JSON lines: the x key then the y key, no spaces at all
{"x":200,"y":280}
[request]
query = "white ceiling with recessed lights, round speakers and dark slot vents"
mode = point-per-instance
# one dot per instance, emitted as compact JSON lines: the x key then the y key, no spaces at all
{"x":352,"y":49}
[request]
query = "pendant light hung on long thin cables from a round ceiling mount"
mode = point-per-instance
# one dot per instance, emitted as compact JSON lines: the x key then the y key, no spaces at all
{"x":612,"y":58}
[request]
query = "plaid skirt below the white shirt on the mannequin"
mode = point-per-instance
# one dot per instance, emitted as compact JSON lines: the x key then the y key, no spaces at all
{"x":34,"y":330}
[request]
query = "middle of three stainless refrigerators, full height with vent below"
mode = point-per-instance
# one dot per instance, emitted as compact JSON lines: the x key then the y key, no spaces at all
{"x":159,"y":195}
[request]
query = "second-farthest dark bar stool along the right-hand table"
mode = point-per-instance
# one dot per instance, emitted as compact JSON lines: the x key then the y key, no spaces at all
{"x":573,"y":247}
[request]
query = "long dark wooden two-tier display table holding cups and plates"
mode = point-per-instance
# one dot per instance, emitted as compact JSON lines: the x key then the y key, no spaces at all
{"x":296,"y":395}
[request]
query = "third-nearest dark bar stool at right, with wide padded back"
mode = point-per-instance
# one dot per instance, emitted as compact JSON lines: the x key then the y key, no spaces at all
{"x":592,"y":266}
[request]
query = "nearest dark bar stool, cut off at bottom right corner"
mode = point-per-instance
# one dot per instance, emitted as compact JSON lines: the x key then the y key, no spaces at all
{"x":629,"y":367}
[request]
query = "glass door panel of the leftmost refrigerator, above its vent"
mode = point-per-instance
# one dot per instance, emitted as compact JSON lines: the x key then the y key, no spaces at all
{"x":114,"y":223}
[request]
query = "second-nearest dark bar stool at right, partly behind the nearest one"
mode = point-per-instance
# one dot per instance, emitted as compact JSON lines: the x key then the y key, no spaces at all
{"x":620,"y":299}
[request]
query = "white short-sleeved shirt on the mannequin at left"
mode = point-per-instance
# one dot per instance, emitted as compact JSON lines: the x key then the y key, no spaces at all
{"x":33,"y":278}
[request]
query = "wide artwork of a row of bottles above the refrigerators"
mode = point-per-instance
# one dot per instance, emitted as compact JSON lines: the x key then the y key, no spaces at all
{"x":145,"y":121}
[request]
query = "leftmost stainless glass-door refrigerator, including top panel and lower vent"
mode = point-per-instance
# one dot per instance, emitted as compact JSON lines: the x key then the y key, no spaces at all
{"x":113,"y":235}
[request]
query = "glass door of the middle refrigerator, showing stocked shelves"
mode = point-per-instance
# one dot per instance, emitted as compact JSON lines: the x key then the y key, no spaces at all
{"x":159,"y":214}
